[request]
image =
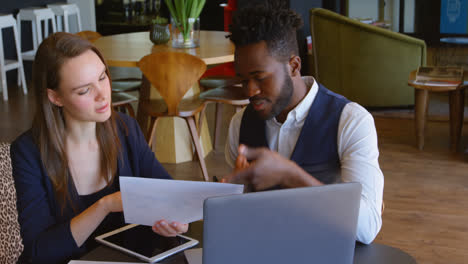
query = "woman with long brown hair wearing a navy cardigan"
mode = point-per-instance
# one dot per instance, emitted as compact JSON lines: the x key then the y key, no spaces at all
{"x":66,"y":167}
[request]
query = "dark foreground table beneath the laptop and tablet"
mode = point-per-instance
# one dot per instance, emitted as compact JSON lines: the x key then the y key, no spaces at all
{"x":364,"y":254}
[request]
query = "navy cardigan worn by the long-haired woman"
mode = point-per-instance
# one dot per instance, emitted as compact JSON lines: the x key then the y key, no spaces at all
{"x":45,"y":229}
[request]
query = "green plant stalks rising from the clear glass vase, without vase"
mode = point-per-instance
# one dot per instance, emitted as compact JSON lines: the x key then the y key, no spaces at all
{"x":182,"y":10}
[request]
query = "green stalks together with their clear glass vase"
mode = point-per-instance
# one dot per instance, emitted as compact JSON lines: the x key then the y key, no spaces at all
{"x":185,"y":22}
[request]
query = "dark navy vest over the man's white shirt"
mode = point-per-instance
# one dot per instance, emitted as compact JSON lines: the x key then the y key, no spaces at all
{"x":316,"y":148}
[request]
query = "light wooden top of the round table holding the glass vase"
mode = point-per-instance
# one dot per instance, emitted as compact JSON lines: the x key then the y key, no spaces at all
{"x":125,"y":50}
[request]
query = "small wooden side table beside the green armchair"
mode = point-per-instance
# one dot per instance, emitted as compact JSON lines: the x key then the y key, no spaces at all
{"x":456,"y":104}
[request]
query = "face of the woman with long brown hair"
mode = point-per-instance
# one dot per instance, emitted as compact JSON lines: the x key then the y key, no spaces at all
{"x":84,"y":90}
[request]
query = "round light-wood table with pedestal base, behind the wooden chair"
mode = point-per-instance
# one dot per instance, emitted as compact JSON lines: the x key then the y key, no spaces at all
{"x":172,"y":143}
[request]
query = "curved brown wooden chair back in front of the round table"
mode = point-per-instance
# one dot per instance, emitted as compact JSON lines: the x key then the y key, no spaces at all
{"x":172,"y":74}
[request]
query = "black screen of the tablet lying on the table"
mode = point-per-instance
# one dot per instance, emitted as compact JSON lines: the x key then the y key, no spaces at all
{"x":142,"y":240}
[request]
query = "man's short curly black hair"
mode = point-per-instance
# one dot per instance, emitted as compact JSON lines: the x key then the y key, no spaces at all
{"x":270,"y":22}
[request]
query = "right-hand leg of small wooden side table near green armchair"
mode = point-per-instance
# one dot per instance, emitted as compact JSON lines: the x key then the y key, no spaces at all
{"x":457,"y":103}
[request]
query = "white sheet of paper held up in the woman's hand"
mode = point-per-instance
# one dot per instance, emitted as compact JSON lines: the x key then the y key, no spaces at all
{"x":146,"y":201}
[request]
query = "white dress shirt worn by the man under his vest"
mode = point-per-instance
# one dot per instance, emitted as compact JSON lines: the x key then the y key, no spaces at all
{"x":357,"y":149}
